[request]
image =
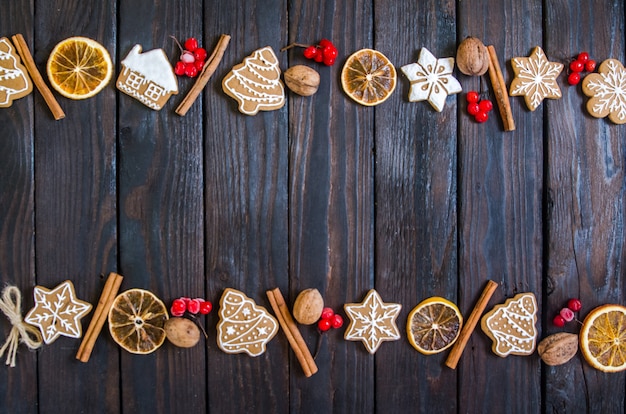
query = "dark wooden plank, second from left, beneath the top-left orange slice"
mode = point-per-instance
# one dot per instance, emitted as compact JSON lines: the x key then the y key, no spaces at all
{"x":75,"y":195}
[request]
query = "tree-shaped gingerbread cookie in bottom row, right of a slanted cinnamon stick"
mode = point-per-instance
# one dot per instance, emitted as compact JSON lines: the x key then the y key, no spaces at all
{"x":511,"y":326}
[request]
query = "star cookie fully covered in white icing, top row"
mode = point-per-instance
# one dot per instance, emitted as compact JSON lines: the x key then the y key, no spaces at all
{"x":431,"y":79}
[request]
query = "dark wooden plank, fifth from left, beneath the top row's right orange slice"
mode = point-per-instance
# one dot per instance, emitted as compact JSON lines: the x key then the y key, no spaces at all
{"x":331,"y":205}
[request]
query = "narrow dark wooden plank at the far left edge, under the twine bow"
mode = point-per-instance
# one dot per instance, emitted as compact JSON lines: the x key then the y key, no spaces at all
{"x":18,"y":389}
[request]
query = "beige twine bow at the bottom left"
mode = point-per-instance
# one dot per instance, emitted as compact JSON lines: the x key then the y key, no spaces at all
{"x":11,"y":305}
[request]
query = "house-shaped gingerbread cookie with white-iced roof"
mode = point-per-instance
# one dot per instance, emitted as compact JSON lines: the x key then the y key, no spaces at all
{"x":148,"y":77}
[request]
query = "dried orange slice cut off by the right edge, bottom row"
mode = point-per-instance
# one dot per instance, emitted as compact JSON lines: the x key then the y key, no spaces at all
{"x":603,"y":338}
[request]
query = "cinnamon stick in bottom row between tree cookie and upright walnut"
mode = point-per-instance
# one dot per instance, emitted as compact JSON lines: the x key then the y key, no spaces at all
{"x":291,"y":331}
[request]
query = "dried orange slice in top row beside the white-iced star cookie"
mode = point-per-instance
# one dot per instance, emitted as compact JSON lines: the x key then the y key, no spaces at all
{"x":368,"y":77}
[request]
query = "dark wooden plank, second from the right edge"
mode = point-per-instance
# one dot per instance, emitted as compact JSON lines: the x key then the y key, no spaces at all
{"x":500,"y":214}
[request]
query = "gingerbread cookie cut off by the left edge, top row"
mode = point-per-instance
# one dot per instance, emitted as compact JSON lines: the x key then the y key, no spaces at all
{"x":14,"y":80}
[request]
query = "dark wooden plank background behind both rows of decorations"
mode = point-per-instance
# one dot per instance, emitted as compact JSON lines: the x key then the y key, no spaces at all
{"x":323,"y":193}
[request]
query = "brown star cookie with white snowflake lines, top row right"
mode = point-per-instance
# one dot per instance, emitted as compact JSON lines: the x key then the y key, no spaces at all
{"x":535,"y":78}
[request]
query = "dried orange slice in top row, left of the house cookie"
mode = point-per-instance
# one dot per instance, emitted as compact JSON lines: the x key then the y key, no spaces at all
{"x":79,"y":67}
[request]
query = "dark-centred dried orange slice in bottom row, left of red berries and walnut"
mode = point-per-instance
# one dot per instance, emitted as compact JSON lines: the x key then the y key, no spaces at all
{"x":136,"y":321}
